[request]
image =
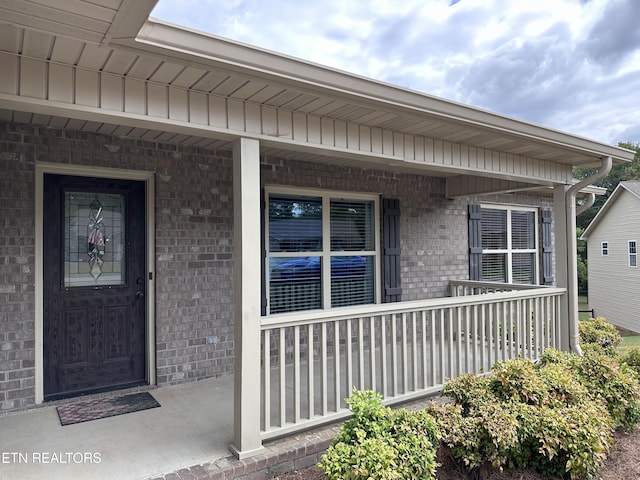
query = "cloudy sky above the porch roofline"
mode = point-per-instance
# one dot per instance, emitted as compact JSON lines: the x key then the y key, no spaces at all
{"x":572,"y":65}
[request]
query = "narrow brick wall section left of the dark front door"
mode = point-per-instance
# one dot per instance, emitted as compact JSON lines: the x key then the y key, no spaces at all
{"x":17,"y":259}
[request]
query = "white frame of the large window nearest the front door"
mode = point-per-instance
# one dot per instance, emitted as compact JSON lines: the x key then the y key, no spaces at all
{"x":326,"y":253}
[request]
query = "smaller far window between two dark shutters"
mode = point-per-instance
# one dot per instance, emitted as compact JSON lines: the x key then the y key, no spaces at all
{"x":509,"y":244}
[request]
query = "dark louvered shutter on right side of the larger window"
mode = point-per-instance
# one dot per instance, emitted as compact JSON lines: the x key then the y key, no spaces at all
{"x":391,"y":238}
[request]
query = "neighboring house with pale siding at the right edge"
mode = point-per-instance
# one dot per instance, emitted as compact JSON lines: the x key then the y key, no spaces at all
{"x":613,"y":237}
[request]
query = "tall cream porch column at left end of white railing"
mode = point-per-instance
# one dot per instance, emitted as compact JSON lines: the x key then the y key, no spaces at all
{"x":247,"y":299}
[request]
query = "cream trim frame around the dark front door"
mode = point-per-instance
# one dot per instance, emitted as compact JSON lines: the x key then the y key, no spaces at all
{"x":43,"y":168}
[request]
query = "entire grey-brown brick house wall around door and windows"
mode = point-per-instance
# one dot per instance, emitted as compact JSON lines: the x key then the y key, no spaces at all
{"x":194,"y":225}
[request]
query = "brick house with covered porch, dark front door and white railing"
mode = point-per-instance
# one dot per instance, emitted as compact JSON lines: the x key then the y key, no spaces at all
{"x":176,"y":206}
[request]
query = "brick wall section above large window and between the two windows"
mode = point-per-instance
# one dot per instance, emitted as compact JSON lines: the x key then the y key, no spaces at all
{"x":433,"y":230}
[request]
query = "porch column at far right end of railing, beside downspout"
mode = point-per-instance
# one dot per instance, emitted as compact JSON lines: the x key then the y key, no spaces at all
{"x":561,"y":255}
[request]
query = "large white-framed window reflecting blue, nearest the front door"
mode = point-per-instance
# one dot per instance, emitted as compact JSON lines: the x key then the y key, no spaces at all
{"x":322,"y":250}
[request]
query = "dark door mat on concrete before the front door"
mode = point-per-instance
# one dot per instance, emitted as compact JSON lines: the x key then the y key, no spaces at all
{"x":79,"y":412}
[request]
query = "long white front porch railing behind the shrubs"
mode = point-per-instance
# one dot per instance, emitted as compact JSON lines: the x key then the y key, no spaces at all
{"x":311,"y":361}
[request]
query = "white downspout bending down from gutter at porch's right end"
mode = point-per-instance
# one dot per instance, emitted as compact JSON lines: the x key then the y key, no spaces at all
{"x":572,"y":269}
